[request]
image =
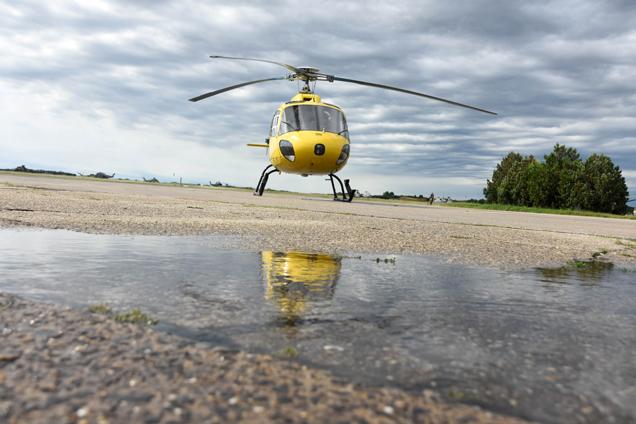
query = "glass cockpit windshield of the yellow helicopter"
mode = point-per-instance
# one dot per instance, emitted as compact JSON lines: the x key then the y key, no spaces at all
{"x":313,"y":118}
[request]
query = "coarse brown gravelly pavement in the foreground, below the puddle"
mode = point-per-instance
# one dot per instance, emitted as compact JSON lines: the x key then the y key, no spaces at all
{"x":64,"y":365}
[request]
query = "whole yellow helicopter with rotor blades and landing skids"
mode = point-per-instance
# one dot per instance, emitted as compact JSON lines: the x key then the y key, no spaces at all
{"x":308,"y":136}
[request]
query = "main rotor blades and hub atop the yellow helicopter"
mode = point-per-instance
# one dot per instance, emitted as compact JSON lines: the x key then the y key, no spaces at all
{"x":308,"y":74}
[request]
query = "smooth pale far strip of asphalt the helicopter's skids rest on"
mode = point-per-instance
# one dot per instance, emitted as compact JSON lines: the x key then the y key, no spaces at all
{"x":529,"y":221}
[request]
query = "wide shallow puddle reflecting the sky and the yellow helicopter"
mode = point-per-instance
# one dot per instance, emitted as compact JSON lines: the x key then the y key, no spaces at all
{"x":550,"y":345}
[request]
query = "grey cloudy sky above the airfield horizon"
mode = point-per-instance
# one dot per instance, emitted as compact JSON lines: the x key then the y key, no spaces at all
{"x":103,"y":86}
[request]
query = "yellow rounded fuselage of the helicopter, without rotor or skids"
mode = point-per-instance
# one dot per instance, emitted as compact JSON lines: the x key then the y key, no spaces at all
{"x":308,"y":137}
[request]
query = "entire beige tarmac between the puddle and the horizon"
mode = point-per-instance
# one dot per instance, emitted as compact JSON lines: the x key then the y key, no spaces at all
{"x":281,"y":221}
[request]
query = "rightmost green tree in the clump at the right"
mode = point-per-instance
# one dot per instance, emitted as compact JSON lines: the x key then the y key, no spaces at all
{"x":605,"y":184}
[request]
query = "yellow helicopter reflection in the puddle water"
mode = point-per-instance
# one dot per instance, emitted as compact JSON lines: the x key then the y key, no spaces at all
{"x":294,"y":280}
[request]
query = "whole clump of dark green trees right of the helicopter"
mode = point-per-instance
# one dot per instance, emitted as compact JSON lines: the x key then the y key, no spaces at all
{"x":563,"y":181}
